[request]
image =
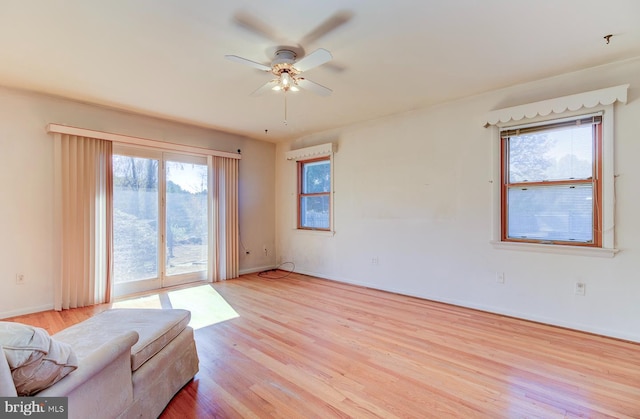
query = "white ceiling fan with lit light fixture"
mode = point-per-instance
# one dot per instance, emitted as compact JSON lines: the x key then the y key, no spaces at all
{"x":287,"y":70}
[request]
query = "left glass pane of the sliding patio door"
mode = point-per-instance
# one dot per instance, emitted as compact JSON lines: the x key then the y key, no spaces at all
{"x":135,"y":218}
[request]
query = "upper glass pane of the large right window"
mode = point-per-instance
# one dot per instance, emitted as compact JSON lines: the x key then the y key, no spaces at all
{"x":561,"y":154}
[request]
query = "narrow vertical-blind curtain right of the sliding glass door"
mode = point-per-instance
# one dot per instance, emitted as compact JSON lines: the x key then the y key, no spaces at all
{"x":224,"y":228}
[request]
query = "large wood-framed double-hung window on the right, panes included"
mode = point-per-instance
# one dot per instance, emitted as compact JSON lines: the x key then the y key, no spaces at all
{"x":552,"y":182}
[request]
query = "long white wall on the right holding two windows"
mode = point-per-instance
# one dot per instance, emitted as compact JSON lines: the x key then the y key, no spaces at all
{"x":414,"y":191}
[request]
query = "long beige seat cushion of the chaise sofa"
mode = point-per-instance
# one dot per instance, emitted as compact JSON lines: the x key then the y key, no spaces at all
{"x":156,"y":328}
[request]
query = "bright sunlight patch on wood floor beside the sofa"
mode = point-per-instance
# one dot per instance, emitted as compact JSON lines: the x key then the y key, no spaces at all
{"x":207,"y":307}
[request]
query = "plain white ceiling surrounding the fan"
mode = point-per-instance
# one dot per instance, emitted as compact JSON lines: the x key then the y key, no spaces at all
{"x":165,"y":58}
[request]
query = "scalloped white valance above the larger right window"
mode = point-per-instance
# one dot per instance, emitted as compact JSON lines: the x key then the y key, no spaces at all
{"x":558,"y":105}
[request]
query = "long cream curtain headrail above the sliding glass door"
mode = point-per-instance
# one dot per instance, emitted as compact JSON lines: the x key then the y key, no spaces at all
{"x":126,"y":139}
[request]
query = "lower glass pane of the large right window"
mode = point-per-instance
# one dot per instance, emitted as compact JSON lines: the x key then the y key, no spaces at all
{"x":551,"y":213}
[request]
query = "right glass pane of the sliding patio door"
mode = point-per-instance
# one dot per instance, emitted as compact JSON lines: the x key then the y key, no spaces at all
{"x":186,"y":218}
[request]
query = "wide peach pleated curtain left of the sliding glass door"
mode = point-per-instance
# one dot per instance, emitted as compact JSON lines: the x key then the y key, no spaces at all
{"x":83,"y":205}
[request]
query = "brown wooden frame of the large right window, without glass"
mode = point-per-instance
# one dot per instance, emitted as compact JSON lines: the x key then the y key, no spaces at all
{"x":596,"y":180}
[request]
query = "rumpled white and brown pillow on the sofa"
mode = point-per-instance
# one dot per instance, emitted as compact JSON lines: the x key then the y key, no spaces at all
{"x":36,"y":360}
